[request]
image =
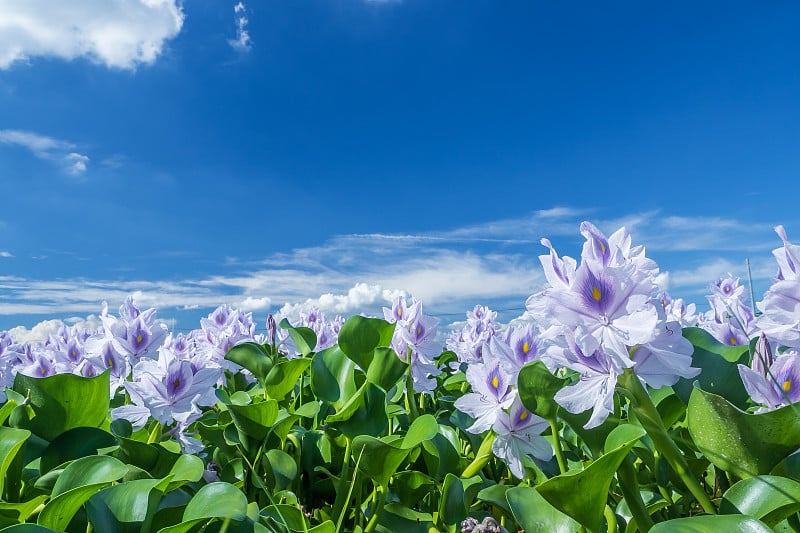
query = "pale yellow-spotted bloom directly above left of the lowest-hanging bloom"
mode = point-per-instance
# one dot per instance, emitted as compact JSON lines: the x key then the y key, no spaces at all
{"x":491,"y":394}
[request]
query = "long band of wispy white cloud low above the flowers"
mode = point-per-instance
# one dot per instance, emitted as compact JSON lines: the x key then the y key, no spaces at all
{"x":449,"y":270}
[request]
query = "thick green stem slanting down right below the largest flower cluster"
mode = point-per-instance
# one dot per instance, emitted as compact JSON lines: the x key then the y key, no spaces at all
{"x":651,"y":421}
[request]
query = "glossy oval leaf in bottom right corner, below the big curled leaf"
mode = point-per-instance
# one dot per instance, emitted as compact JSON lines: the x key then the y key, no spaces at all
{"x":771,"y":499}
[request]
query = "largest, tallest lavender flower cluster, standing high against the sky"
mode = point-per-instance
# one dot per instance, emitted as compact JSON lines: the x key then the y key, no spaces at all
{"x":600,"y":318}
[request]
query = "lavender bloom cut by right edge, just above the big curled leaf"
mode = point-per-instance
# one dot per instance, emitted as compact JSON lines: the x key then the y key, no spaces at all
{"x":778,"y":386}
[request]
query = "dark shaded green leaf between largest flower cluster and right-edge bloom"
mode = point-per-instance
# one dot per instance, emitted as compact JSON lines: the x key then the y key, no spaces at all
{"x":719,"y":373}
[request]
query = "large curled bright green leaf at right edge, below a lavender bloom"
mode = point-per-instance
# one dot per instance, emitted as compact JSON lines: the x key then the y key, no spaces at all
{"x":744,"y":444}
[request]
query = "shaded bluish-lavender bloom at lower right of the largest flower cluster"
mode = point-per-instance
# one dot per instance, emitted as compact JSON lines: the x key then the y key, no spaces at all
{"x":667,"y":358}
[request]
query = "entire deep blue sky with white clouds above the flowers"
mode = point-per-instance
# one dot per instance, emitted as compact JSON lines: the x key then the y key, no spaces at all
{"x":196,"y":153}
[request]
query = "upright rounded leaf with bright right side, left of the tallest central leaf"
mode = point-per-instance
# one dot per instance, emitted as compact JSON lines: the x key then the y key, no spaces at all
{"x":332,"y":377}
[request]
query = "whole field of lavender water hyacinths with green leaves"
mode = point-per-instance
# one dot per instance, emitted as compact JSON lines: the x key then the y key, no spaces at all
{"x":607,"y":408}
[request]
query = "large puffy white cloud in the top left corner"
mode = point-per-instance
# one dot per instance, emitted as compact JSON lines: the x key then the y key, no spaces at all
{"x":120,"y":34}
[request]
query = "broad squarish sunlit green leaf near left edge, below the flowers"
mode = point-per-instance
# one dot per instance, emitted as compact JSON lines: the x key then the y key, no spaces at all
{"x":64,"y":401}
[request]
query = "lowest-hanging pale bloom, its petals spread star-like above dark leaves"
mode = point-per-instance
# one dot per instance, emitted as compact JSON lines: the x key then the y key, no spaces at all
{"x":519,"y":433}
